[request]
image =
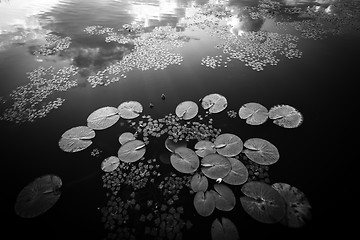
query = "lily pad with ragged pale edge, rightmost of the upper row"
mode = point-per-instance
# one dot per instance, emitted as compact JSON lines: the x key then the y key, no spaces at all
{"x":286,"y":116}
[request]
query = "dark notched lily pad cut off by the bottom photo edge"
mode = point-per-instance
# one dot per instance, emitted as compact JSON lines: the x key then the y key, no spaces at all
{"x":224,"y":230}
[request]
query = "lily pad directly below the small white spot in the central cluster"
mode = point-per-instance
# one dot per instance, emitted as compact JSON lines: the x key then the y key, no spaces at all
{"x":224,"y":197}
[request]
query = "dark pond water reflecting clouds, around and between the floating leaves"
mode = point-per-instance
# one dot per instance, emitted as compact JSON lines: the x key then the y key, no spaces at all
{"x":315,"y":83}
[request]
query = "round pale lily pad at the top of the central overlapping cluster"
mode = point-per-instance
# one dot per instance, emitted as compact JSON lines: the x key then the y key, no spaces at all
{"x":228,"y":145}
